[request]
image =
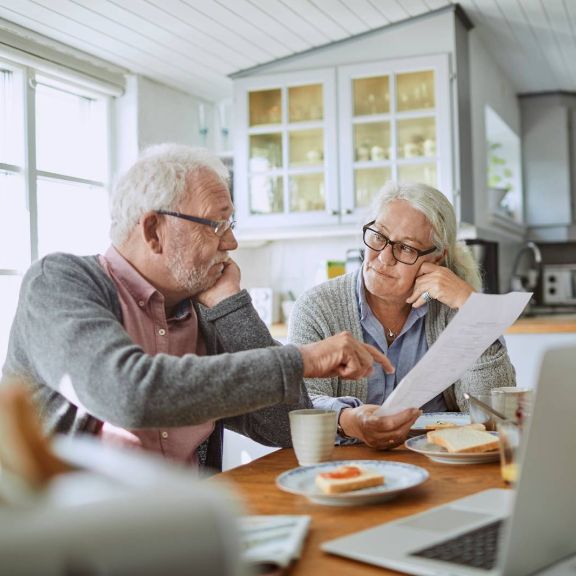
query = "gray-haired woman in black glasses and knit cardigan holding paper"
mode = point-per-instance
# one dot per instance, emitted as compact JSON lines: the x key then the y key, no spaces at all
{"x":414,"y":278}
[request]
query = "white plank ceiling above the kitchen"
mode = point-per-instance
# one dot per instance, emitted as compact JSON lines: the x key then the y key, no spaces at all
{"x":195,"y":44}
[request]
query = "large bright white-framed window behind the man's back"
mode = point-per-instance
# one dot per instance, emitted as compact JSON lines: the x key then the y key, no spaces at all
{"x":54,"y":170}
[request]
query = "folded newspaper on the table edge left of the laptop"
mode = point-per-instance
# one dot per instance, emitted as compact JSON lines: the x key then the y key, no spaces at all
{"x":275,"y":539}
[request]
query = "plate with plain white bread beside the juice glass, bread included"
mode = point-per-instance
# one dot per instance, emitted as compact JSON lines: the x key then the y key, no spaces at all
{"x":470,"y":444}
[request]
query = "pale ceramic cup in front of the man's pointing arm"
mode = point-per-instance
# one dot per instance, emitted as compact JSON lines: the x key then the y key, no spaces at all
{"x":313,"y":434}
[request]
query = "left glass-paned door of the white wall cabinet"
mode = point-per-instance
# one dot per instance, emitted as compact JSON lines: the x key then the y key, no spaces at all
{"x":287,"y":158}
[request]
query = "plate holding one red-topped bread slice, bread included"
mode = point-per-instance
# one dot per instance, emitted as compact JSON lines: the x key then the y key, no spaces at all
{"x":351,"y":482}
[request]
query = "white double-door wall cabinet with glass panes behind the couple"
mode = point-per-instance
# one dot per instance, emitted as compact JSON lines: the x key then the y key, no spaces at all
{"x":314,"y":147}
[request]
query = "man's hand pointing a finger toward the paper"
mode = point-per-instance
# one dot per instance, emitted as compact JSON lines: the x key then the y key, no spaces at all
{"x":341,"y":355}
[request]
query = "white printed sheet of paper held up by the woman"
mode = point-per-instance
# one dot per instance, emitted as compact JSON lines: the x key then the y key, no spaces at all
{"x":480,"y":322}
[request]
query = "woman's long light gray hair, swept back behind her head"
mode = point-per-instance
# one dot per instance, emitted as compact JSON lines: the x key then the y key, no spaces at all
{"x":440,"y":213}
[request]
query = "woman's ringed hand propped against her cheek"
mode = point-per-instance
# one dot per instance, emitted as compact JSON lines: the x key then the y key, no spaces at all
{"x":441,"y":284}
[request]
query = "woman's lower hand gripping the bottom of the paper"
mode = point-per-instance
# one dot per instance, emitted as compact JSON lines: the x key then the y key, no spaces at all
{"x":384,"y":432}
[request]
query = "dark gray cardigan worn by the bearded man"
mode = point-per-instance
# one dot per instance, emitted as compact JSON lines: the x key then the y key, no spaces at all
{"x":68,"y":331}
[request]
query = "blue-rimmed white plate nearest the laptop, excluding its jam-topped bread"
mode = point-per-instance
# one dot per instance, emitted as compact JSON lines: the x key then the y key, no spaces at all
{"x":398,"y":477}
